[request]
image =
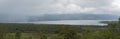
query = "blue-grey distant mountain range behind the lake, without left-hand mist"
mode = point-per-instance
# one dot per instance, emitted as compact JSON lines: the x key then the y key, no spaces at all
{"x":52,"y":17}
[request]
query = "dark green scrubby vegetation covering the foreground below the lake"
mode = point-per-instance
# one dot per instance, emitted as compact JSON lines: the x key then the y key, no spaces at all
{"x":41,"y":31}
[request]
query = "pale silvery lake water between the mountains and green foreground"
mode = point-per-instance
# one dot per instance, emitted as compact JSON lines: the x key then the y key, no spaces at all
{"x":73,"y":22}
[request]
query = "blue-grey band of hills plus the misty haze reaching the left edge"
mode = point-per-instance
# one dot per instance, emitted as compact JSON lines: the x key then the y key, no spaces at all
{"x":54,"y":17}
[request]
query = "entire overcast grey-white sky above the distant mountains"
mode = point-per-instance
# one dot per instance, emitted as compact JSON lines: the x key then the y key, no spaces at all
{"x":17,"y":8}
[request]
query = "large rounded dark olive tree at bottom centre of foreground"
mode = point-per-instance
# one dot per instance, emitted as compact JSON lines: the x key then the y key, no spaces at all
{"x":68,"y":32}
